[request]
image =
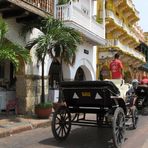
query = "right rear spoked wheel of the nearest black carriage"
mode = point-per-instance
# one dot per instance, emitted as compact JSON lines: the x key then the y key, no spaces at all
{"x":118,"y":123}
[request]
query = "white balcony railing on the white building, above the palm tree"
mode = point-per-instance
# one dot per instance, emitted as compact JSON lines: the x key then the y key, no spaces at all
{"x":82,"y":18}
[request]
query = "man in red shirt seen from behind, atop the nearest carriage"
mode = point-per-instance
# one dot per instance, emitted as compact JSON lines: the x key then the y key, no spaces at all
{"x":116,"y":67}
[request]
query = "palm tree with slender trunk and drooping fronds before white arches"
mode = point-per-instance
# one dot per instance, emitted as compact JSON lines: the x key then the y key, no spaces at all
{"x":58,"y":41}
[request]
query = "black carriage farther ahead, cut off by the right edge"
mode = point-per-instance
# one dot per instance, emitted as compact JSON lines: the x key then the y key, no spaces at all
{"x":142,"y":97}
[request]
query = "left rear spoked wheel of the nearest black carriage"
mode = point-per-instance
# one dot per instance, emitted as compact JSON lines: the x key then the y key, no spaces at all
{"x":61,"y":123}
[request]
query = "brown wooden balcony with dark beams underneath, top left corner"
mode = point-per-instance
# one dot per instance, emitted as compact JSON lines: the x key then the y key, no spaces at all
{"x":18,"y":8}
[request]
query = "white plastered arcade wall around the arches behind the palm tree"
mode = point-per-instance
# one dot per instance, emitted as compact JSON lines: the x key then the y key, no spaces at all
{"x":86,"y":61}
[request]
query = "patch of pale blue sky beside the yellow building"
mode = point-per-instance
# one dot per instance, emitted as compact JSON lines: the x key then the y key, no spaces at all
{"x":142,"y":7}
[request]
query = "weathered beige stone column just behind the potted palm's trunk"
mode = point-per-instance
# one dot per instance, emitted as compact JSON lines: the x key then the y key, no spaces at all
{"x":28,"y":91}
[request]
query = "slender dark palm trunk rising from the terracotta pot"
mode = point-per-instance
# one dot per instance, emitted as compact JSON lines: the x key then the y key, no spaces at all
{"x":43,"y":90}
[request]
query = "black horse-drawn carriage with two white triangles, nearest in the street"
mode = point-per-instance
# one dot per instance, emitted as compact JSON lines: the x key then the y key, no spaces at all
{"x":98,"y":97}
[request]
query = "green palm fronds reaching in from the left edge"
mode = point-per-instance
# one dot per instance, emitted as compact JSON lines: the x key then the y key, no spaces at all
{"x":11,"y":51}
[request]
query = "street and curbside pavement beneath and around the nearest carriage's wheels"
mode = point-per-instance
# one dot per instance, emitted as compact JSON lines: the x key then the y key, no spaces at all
{"x":86,"y":137}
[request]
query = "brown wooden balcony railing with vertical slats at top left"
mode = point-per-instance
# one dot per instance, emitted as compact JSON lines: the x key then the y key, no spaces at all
{"x":44,"y":5}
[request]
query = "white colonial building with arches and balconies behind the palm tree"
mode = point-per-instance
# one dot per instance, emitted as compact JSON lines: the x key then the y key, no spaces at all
{"x":79,"y":14}
